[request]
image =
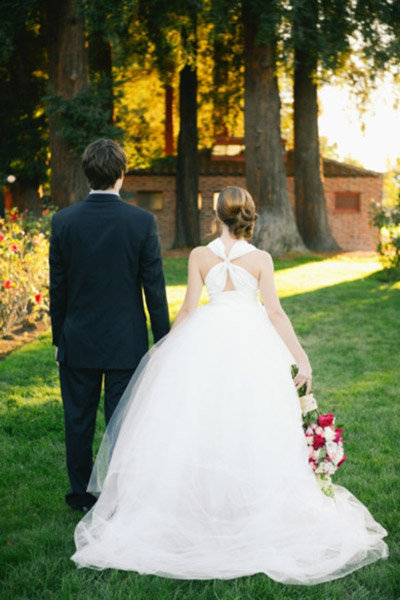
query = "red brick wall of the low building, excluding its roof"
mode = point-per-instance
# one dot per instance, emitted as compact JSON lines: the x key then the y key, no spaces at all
{"x":350,"y":229}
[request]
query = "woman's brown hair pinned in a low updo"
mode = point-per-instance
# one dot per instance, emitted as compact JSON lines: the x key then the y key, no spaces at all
{"x":235,"y":208}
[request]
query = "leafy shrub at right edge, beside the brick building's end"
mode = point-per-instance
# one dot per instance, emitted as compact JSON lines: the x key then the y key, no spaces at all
{"x":387,"y":220}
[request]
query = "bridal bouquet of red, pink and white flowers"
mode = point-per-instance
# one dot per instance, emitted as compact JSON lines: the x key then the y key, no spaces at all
{"x":324,"y":440}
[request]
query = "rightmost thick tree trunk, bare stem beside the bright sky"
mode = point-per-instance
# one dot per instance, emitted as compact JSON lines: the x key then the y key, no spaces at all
{"x":311,"y":214}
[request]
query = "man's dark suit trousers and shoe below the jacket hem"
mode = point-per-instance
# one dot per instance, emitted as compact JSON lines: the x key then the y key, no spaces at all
{"x":80,"y":391}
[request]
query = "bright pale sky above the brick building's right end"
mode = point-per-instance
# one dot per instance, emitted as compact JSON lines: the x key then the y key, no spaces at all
{"x":340,"y":122}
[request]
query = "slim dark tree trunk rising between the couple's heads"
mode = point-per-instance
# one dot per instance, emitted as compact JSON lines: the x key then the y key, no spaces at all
{"x":187,"y":231}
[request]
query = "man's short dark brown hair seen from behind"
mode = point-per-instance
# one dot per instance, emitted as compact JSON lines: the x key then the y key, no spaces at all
{"x":103,"y":162}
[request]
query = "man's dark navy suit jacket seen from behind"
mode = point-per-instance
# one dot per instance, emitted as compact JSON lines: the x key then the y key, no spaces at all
{"x":103,"y":254}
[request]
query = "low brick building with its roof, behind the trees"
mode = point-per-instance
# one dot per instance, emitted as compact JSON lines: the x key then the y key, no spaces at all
{"x":348,"y":192}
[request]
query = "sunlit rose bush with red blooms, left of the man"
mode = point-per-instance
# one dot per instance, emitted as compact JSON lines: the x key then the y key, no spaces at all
{"x":24,"y":274}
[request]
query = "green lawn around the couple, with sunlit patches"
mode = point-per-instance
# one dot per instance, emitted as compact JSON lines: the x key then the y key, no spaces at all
{"x":347,"y":319}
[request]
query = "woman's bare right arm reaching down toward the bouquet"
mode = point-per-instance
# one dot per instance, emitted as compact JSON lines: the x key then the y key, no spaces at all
{"x":281,"y":321}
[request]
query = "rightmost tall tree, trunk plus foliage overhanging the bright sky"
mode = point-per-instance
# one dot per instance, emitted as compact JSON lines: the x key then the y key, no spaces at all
{"x":321,"y":41}
